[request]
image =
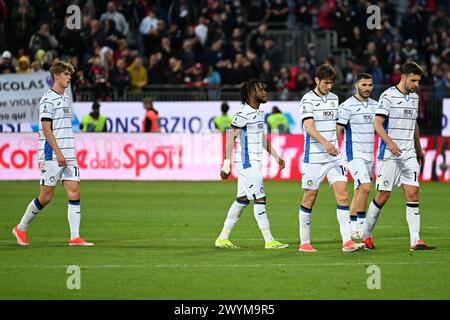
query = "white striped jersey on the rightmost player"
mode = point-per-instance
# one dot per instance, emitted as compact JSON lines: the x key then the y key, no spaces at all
{"x":401,"y":112}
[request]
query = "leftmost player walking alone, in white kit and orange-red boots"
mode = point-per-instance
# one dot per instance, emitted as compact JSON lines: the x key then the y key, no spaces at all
{"x":57,"y":156}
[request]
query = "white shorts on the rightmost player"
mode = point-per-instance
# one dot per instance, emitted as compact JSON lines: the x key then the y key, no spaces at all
{"x":391,"y":174}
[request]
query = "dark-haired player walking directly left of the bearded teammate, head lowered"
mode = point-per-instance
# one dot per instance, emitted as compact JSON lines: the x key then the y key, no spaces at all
{"x":319,"y":111}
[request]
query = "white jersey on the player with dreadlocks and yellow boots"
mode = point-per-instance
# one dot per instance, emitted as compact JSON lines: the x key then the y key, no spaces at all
{"x":249,"y":143}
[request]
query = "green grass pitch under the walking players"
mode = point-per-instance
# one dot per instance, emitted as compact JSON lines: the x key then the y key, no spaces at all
{"x":154,"y":240}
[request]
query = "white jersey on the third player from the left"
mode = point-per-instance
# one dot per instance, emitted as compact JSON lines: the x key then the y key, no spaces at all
{"x":324,"y":112}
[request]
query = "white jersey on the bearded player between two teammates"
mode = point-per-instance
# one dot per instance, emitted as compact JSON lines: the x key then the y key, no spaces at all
{"x":357,"y":118}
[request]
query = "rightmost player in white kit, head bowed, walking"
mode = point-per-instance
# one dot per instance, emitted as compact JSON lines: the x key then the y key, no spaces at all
{"x":400,"y":153}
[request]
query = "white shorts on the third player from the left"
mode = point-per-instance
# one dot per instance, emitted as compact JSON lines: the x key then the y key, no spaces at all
{"x":314,"y":173}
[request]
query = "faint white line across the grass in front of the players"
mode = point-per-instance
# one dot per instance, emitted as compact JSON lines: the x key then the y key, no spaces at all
{"x":199,"y":266}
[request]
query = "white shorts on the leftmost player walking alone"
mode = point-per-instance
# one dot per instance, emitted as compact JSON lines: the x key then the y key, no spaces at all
{"x":51,"y":172}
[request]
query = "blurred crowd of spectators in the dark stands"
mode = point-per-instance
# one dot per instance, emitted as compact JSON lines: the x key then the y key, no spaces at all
{"x":131,"y":44}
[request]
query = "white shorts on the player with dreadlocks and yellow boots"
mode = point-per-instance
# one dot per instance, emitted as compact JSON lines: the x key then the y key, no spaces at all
{"x":250,"y":183}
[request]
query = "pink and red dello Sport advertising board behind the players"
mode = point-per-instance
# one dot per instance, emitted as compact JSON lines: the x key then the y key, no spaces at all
{"x":113,"y":156}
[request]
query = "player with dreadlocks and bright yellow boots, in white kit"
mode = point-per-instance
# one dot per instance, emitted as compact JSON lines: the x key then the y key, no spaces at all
{"x":247,"y":128}
